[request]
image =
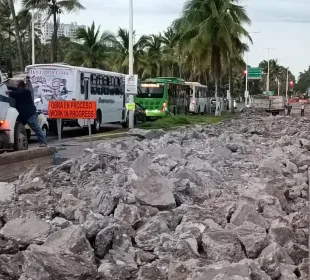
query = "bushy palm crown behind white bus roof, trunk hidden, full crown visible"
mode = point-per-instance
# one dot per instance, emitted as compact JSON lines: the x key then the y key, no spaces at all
{"x":93,"y":51}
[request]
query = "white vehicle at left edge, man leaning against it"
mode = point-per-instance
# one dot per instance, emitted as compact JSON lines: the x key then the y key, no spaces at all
{"x":13,"y":134}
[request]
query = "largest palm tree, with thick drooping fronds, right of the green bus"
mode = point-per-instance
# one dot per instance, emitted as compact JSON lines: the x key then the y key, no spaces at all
{"x":208,"y":29}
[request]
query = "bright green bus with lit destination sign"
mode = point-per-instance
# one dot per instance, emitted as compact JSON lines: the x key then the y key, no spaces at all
{"x":163,"y":96}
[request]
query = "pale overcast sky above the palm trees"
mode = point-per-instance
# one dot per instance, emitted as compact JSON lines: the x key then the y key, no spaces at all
{"x":283,"y":24}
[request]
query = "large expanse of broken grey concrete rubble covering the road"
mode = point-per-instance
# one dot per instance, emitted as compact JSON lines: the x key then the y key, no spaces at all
{"x":222,"y":202}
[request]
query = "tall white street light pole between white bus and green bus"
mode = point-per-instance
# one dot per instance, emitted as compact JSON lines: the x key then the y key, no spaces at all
{"x":130,"y":50}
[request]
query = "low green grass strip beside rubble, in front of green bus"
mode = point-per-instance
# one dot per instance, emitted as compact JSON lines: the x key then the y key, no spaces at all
{"x":182,"y":120}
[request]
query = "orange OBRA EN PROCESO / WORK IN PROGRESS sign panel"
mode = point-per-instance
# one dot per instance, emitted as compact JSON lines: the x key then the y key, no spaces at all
{"x":72,"y":110}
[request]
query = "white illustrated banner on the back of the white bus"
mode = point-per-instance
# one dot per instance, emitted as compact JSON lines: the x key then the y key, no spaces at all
{"x":51,"y":84}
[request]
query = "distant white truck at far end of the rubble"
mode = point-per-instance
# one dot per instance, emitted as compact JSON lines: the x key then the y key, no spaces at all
{"x":271,"y":104}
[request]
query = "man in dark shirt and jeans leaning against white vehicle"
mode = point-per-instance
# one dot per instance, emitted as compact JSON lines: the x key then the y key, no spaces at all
{"x":27,"y":110}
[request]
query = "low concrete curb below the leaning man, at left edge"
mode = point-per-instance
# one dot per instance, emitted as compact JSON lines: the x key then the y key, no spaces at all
{"x":20,"y":156}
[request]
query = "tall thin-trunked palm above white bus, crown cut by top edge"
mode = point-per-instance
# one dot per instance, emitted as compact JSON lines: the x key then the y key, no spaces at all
{"x":53,"y":8}
